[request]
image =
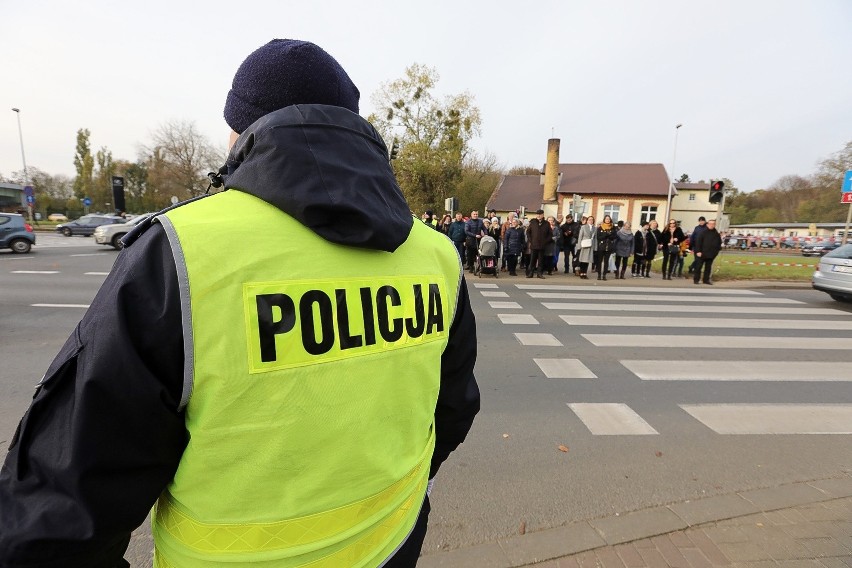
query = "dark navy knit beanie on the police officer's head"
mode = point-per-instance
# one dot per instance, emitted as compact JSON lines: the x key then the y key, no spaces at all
{"x":287,"y":72}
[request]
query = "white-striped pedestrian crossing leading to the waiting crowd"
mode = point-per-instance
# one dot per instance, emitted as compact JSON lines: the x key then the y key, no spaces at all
{"x":658,"y":318}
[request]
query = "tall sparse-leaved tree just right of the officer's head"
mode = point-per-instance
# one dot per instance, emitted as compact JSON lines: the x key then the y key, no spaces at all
{"x":434,"y":136}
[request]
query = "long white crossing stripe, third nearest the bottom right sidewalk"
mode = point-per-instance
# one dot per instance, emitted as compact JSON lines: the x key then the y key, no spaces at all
{"x":717,"y":341}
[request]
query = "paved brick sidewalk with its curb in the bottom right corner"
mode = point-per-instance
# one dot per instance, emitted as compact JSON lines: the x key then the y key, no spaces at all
{"x":800,"y":524}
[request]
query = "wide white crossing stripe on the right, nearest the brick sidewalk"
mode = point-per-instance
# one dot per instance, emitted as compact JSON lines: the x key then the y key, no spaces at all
{"x":773,"y":418}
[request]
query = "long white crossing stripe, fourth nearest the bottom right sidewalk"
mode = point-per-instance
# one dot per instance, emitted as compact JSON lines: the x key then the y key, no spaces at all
{"x":698,"y":323}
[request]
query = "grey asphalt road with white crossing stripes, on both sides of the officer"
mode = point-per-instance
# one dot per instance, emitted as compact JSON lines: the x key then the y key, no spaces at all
{"x":631,"y":442}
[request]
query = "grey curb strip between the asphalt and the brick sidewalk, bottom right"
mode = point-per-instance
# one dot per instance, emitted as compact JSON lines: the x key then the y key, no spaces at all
{"x":583,"y":536}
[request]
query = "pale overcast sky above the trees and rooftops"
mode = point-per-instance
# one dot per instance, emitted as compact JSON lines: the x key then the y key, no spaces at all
{"x":762,"y":88}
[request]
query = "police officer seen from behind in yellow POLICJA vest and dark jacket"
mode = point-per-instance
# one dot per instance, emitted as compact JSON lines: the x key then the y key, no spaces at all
{"x":287,"y":403}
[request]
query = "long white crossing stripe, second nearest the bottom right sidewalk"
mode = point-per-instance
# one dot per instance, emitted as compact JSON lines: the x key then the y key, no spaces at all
{"x":781,"y":371}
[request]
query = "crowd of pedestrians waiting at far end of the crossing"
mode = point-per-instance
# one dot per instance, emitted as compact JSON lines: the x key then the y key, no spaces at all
{"x":537,"y":245}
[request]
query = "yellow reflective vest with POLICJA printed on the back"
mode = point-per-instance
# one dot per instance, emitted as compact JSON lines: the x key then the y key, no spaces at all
{"x":312,"y":374}
